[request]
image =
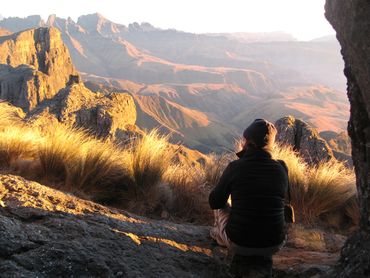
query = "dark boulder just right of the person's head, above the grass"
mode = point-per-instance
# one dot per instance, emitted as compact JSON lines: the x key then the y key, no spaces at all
{"x":304,"y":139}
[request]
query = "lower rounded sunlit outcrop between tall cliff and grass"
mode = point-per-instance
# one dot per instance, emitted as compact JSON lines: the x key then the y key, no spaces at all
{"x":105,"y":115}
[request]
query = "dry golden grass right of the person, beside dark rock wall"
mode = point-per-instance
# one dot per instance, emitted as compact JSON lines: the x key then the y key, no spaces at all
{"x":318,"y":190}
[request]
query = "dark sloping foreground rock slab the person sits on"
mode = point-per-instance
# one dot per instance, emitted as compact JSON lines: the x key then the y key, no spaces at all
{"x":47,"y":233}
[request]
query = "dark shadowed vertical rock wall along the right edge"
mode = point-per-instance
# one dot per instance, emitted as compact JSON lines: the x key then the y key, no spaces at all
{"x":351,"y":20}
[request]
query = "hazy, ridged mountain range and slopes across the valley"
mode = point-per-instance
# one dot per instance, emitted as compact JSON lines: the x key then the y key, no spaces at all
{"x":205,"y":88}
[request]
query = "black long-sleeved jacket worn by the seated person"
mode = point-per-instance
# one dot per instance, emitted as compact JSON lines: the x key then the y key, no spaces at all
{"x":257,"y":185}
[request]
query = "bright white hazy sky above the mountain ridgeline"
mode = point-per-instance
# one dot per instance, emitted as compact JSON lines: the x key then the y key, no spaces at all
{"x":302,"y":18}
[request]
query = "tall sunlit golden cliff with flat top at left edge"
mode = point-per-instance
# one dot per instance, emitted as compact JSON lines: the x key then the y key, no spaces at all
{"x":36,"y":65}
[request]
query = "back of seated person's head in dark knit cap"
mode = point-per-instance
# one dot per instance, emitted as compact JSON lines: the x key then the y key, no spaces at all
{"x":260,"y":134}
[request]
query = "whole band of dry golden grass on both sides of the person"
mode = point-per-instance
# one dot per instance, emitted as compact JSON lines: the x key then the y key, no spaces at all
{"x":144,"y":177}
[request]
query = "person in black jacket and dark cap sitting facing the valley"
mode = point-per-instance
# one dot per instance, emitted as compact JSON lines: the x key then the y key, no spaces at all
{"x":254,"y":224}
